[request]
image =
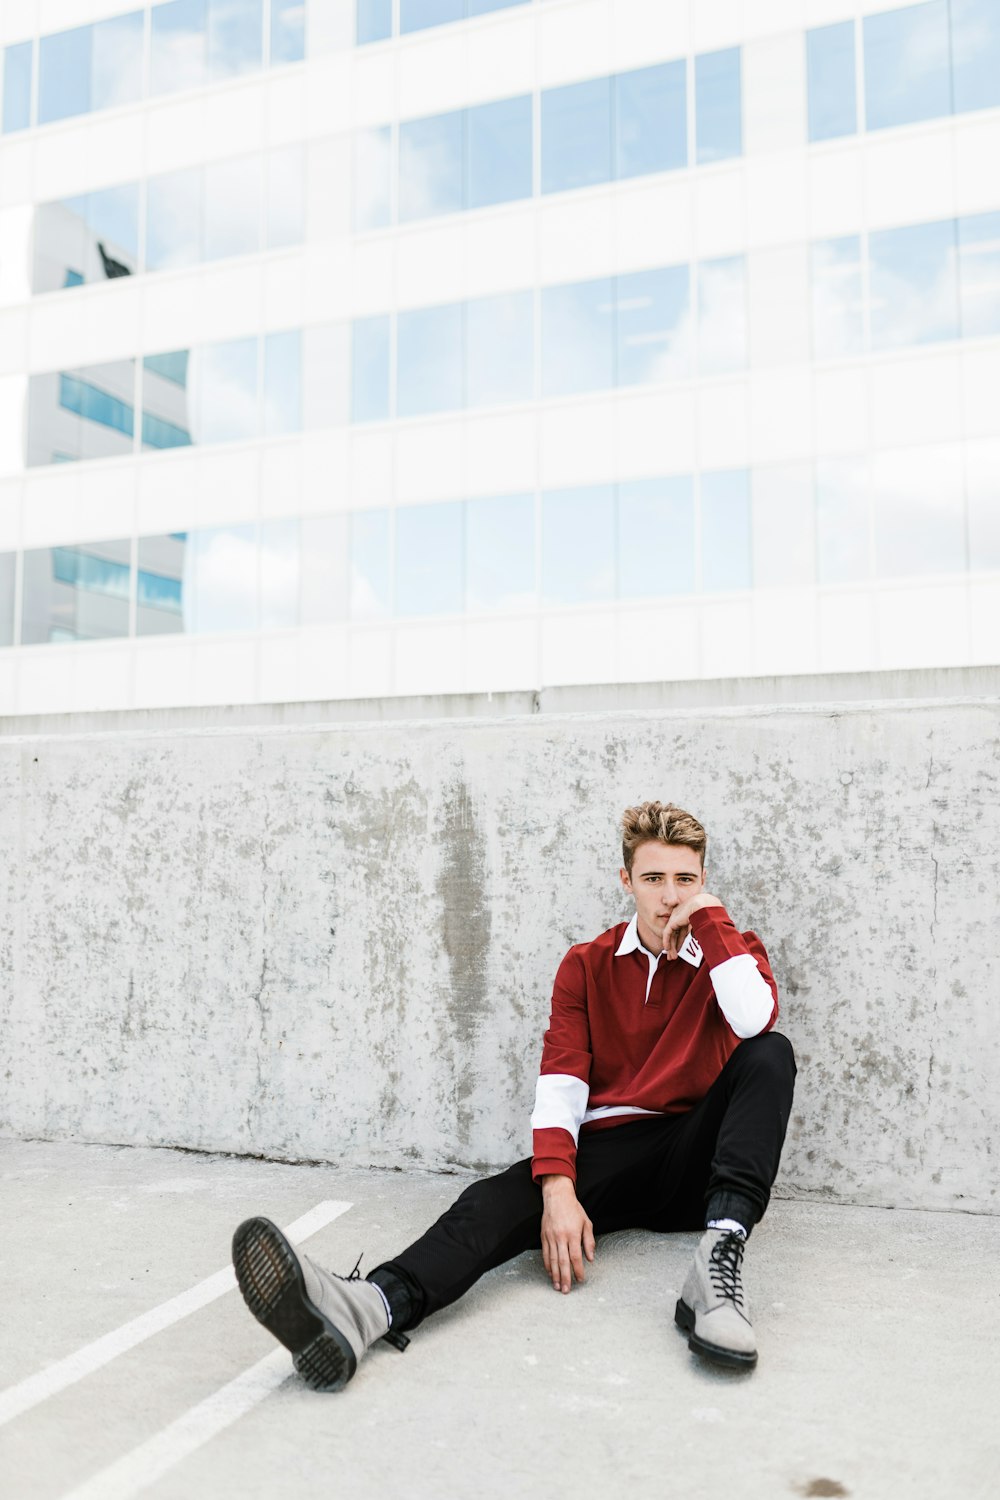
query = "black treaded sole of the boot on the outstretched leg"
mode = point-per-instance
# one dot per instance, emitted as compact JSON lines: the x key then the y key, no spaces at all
{"x":274,"y":1288}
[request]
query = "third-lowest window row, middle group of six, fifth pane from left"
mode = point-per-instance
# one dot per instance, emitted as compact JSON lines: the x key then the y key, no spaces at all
{"x":651,"y":131}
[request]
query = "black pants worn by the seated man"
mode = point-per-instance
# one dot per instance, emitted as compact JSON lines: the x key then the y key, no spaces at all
{"x":666,"y":1172}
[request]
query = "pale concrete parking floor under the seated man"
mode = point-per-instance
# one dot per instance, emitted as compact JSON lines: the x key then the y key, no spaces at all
{"x":879,"y":1339}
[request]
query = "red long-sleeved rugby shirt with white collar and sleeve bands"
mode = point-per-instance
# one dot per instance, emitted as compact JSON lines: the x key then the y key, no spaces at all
{"x":611,"y":1054}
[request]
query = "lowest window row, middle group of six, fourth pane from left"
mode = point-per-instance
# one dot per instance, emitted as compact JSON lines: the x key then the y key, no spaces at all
{"x":578,"y":545}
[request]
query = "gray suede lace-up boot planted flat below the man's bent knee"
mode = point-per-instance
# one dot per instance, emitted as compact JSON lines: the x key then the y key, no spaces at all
{"x":711,"y":1310}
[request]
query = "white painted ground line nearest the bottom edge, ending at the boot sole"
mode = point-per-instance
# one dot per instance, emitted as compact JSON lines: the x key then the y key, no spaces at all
{"x":148,"y":1463}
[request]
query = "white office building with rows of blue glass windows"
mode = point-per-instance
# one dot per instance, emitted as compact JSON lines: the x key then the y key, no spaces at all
{"x":388,"y":347}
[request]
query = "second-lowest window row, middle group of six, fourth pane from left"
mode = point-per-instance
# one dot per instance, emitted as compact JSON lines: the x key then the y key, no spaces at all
{"x":578,"y":338}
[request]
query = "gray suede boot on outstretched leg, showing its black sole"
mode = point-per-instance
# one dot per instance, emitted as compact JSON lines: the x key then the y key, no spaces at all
{"x":326,"y":1321}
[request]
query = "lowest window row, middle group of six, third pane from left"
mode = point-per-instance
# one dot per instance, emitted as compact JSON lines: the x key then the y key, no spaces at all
{"x":500,"y":554}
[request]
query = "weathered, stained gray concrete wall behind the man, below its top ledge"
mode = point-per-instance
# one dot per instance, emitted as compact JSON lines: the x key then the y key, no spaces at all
{"x":338,"y":944}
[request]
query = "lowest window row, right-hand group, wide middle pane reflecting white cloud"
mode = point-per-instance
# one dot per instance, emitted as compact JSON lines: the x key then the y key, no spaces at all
{"x":920,"y":511}
